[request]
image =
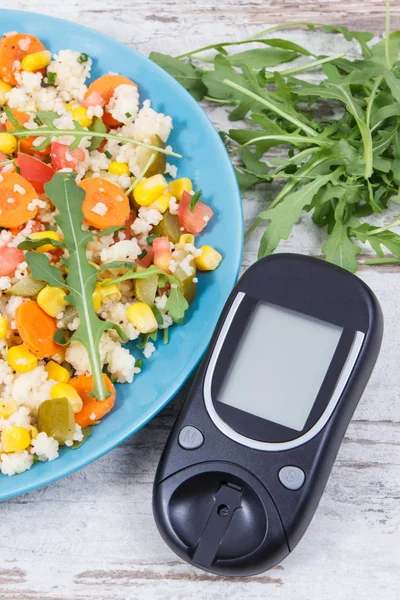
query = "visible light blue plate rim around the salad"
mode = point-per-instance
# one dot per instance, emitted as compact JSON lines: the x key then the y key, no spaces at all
{"x":206,"y":162}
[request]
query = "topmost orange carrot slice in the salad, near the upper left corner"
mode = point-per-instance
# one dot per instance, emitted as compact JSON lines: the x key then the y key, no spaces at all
{"x":13,"y":48}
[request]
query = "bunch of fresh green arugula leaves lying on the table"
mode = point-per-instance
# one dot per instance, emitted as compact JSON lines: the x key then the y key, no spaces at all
{"x":341,"y":136}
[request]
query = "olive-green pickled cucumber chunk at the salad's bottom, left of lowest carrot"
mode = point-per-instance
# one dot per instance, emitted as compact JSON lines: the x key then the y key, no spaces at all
{"x":56,"y":418}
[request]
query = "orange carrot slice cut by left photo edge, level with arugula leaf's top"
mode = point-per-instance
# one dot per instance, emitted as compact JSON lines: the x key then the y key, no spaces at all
{"x":15,"y":196}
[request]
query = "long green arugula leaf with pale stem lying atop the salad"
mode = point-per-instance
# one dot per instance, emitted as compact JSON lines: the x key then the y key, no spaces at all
{"x":81,"y":278}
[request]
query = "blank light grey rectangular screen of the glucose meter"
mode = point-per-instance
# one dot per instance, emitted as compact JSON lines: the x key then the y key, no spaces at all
{"x":279,"y":365}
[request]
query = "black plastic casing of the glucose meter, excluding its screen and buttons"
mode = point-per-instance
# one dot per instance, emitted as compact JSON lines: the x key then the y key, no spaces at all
{"x":272,"y":518}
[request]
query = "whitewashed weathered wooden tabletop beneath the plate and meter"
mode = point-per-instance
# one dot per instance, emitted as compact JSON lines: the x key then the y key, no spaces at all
{"x":92,"y":535}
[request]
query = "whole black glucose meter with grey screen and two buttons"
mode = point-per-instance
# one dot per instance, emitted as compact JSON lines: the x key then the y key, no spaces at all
{"x":249,"y":456}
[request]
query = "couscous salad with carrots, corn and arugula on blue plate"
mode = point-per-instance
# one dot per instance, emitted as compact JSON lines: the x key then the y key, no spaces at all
{"x":97,"y":245}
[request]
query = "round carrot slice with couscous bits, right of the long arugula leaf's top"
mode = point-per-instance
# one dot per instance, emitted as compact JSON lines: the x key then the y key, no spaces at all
{"x":105,"y":203}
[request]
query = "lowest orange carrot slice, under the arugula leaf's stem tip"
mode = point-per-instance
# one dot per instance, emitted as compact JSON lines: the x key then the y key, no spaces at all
{"x":91,"y":407}
